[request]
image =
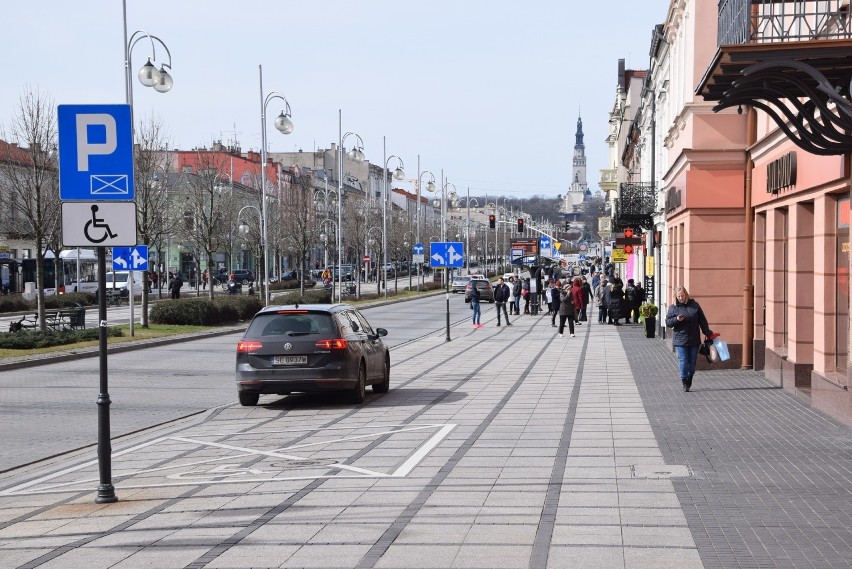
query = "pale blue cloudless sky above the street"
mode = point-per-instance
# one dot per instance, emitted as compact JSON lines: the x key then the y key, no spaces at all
{"x":487,"y":90}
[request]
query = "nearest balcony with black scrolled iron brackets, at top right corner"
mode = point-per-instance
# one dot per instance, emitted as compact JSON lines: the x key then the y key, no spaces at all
{"x":789,"y":60}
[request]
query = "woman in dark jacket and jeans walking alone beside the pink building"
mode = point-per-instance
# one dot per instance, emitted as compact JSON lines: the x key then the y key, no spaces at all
{"x":687,"y":321}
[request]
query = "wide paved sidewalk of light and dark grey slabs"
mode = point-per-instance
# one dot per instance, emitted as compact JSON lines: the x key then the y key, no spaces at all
{"x":507,"y":447}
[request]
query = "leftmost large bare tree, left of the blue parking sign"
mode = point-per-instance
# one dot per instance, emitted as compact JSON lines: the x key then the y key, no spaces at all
{"x":32,"y":182}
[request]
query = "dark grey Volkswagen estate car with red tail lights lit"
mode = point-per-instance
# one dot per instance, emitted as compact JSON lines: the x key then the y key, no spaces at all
{"x":312,"y":347}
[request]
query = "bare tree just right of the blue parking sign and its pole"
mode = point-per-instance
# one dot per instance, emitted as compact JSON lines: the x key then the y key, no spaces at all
{"x":152,"y":192}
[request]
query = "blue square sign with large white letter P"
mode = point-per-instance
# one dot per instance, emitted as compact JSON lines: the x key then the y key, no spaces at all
{"x":95,"y":153}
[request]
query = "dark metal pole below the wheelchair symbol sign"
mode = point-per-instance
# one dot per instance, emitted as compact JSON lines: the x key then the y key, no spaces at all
{"x":106,"y":491}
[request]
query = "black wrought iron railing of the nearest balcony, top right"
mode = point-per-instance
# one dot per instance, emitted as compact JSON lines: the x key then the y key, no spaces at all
{"x":775,"y":21}
